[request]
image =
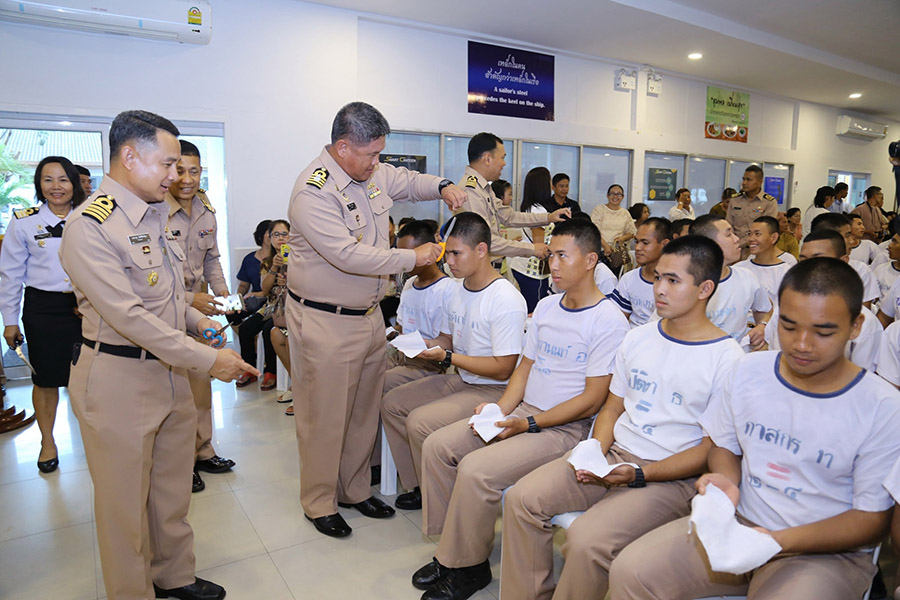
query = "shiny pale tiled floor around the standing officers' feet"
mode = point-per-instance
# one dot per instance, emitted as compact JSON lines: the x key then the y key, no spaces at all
{"x":250,"y":535}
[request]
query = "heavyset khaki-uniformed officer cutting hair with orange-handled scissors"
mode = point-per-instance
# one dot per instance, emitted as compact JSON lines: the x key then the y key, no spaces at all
{"x":338,"y":271}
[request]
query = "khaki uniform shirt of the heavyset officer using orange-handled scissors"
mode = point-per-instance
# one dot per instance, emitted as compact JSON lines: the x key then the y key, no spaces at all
{"x":340,"y":252}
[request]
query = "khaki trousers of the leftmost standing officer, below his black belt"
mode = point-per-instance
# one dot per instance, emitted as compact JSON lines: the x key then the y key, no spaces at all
{"x":138,"y":426}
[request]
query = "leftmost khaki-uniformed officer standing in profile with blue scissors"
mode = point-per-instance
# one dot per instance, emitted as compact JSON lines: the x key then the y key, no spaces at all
{"x":128,"y":384}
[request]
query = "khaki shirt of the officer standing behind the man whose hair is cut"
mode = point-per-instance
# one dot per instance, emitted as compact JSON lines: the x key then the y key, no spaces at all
{"x":480,"y":199}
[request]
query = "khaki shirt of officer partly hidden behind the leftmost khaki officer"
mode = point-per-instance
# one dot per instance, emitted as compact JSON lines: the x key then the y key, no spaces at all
{"x":196,"y":236}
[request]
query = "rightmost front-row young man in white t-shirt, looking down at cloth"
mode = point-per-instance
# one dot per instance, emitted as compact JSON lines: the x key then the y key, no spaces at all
{"x":802,"y":441}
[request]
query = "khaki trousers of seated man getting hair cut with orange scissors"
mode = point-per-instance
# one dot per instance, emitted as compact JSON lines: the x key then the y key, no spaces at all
{"x":412,"y":411}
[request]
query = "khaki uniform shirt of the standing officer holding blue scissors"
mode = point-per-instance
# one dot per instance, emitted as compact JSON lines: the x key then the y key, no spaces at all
{"x":128,"y":277}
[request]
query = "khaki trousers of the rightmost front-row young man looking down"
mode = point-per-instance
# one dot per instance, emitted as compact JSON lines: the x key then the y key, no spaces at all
{"x":669,"y":563}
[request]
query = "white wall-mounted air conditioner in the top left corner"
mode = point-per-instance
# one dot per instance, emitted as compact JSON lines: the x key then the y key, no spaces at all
{"x":185,"y":21}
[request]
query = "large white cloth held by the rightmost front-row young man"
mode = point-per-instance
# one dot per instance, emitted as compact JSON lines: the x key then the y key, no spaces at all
{"x":730,"y":546}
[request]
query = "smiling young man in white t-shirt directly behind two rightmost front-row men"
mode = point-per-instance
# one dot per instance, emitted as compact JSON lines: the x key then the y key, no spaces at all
{"x":739,"y":292}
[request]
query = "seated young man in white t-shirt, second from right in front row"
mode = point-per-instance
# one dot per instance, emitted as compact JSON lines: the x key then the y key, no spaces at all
{"x":665,"y":374}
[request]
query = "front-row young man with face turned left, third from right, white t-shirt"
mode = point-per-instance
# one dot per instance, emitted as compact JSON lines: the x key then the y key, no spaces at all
{"x":560,"y":383}
